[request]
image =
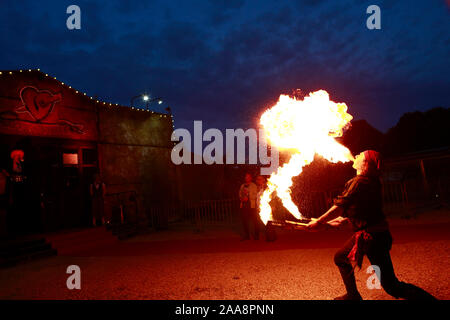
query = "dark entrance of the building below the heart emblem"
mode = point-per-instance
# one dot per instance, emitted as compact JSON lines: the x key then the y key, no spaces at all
{"x":55,"y":195}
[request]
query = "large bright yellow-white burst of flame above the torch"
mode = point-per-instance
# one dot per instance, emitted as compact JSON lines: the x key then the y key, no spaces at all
{"x":305,"y":128}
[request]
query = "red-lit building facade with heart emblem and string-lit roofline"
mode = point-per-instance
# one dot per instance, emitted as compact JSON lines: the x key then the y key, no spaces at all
{"x":57,"y":138}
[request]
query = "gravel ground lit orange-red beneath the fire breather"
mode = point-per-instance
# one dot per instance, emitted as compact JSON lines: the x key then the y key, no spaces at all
{"x":215,"y":264}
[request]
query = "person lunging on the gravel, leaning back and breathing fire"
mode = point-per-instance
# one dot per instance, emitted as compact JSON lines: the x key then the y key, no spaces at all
{"x":361,"y":204}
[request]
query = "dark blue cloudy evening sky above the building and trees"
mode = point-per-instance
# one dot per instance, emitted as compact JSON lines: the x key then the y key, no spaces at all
{"x":224,"y":61}
